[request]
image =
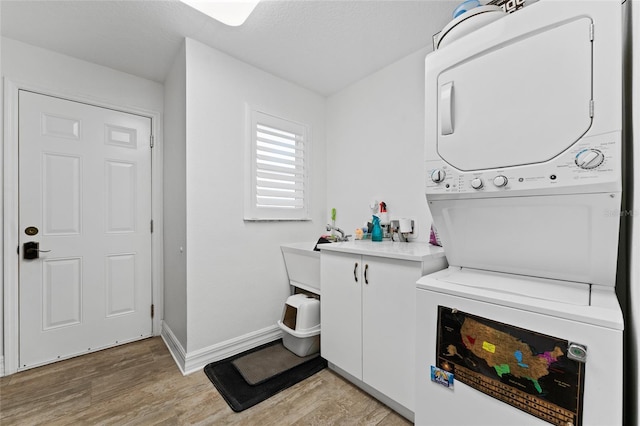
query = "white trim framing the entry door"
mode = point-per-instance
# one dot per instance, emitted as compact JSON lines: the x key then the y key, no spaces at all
{"x":10,"y":213}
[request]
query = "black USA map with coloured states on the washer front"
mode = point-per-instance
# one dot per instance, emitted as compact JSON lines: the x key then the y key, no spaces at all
{"x":522,"y":368}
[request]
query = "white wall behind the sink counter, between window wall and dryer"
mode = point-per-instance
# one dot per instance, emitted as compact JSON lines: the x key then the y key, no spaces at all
{"x":375,"y":146}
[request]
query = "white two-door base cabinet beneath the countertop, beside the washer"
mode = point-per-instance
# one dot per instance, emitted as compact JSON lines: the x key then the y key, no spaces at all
{"x":368,"y":319}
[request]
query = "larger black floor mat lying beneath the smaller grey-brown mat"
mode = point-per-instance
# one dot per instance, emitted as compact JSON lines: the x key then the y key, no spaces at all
{"x":240,"y":395}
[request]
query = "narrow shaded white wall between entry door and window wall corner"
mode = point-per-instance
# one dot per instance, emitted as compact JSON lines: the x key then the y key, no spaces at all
{"x":175,"y":199}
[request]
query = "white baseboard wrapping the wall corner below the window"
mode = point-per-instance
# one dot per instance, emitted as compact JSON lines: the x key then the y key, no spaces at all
{"x":195,"y":361}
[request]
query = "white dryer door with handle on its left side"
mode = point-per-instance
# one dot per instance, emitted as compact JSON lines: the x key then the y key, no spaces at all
{"x":521,"y":102}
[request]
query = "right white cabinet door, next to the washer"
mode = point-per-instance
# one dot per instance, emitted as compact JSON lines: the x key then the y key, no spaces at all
{"x":388,"y":327}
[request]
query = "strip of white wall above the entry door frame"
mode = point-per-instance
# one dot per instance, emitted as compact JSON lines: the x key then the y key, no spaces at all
{"x":52,"y":72}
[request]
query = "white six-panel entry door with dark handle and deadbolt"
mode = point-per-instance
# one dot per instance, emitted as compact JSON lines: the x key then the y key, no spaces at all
{"x":85,"y":198}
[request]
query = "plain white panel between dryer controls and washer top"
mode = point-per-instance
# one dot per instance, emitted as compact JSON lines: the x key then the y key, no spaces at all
{"x":569,"y":237}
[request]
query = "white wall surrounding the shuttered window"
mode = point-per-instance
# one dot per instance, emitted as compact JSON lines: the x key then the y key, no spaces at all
{"x":237,"y":282}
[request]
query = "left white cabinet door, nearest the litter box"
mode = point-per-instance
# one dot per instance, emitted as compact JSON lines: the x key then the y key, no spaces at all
{"x":341,"y":311}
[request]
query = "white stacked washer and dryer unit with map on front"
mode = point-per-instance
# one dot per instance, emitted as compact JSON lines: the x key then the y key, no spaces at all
{"x":523,"y":161}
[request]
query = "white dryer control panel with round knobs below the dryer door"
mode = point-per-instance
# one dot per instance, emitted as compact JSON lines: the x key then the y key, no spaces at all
{"x":590,"y":165}
